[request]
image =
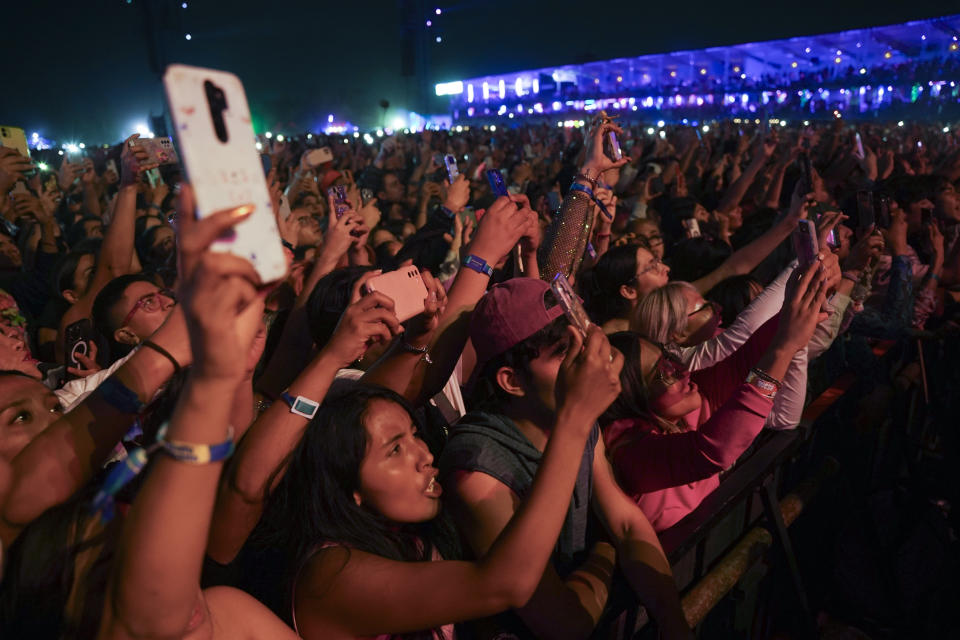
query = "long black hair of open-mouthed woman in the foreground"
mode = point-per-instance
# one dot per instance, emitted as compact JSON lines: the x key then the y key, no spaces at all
{"x":314,"y":503}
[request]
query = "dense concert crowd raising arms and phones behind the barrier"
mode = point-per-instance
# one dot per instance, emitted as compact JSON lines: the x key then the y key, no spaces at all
{"x":189,"y":452}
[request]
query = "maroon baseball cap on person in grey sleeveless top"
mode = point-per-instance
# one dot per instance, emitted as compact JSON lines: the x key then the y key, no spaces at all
{"x":508,"y":314}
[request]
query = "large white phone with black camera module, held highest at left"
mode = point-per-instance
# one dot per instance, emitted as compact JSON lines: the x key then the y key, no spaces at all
{"x":215,"y":137}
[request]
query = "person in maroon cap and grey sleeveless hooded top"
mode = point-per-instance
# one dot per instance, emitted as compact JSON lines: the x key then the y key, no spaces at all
{"x":521,"y":337}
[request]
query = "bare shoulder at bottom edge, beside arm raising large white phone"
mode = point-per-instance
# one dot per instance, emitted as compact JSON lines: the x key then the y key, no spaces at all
{"x":237,"y":615}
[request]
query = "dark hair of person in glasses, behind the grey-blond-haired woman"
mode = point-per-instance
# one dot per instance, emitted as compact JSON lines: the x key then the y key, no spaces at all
{"x":600,"y":286}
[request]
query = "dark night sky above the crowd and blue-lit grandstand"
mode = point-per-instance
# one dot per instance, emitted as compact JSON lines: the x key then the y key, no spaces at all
{"x":81,"y":71}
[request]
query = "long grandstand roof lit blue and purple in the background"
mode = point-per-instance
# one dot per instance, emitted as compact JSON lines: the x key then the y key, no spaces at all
{"x":719,"y":66}
